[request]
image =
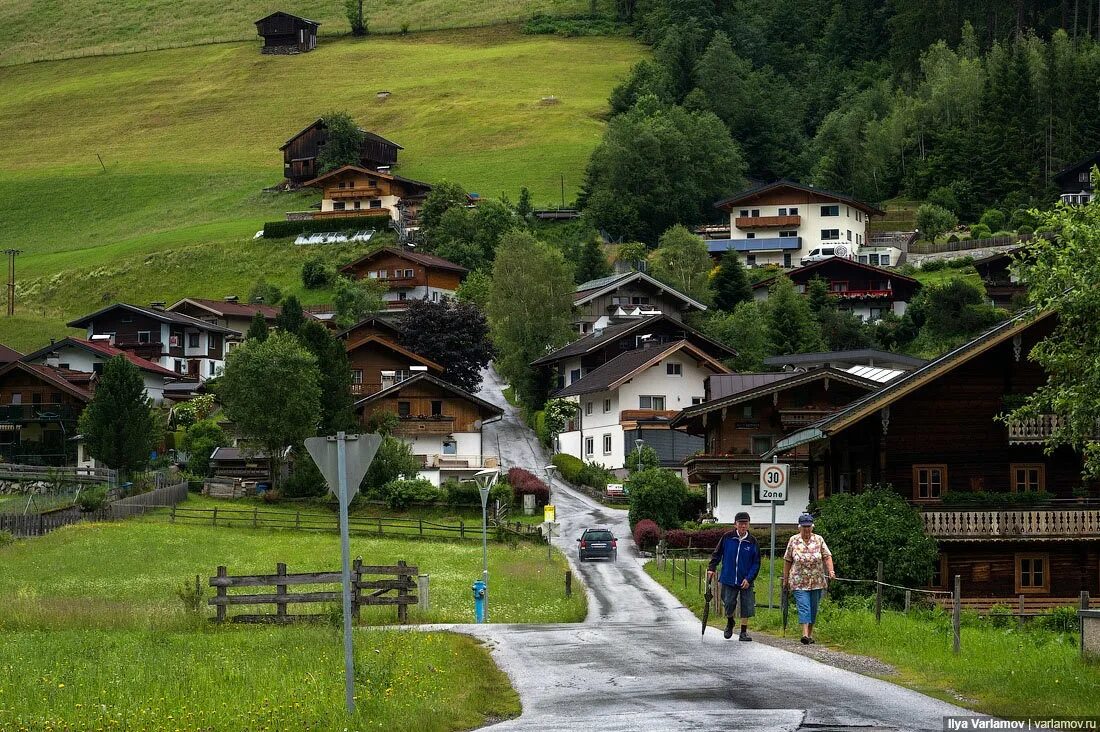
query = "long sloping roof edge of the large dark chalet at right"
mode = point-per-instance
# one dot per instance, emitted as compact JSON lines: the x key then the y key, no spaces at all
{"x":911,"y":383}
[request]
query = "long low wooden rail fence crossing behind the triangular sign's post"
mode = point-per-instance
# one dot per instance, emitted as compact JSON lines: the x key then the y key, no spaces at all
{"x":368,"y":526}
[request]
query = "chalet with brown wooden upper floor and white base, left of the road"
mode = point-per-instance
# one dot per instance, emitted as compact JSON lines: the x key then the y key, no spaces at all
{"x":442,"y":423}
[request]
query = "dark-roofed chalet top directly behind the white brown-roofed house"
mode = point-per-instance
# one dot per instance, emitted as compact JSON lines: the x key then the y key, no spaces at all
{"x":574,"y":362}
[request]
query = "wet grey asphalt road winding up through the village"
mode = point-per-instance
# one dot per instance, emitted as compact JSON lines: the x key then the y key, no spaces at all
{"x":640,"y":663}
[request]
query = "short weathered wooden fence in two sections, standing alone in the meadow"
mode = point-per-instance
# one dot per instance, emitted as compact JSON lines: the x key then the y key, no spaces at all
{"x":400,"y":580}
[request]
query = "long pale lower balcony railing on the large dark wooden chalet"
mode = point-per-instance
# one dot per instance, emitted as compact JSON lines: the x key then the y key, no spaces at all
{"x":1031,"y":523}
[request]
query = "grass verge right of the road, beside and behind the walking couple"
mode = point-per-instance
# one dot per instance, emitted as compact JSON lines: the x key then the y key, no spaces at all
{"x":1002,"y":672}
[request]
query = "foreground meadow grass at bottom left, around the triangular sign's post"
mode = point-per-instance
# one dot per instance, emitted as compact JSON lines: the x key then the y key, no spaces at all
{"x":246,"y":679}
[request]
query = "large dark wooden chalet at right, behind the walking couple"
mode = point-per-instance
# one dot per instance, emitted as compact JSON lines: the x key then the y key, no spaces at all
{"x":934,"y":436}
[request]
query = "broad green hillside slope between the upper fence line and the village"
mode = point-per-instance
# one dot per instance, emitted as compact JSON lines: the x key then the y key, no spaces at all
{"x":190,"y":138}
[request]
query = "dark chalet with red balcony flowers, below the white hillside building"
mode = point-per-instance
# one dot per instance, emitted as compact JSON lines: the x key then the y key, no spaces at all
{"x":867,"y":291}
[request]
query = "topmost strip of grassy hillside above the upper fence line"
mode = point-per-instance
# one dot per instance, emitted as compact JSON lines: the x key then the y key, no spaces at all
{"x":45,"y":29}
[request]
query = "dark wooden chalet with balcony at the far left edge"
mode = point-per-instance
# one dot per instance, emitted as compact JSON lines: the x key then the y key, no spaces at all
{"x":40,"y":407}
